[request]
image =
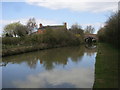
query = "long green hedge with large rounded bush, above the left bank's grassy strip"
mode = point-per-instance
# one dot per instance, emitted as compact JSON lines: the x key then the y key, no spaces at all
{"x":50,"y":37}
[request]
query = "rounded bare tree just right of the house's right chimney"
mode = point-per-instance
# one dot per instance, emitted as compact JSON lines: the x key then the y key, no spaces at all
{"x":75,"y":28}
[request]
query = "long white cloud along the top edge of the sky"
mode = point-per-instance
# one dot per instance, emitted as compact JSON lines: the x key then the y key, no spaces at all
{"x":77,"y":5}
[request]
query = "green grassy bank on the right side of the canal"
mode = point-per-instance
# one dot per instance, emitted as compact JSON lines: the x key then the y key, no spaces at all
{"x":106,"y":67}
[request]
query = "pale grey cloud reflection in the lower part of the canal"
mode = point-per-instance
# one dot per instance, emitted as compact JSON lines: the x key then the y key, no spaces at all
{"x":75,"y":77}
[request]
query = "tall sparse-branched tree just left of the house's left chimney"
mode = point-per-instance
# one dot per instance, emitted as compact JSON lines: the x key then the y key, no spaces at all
{"x":31,"y":24}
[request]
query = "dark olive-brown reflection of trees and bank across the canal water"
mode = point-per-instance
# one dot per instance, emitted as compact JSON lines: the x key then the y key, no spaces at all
{"x":49,"y":57}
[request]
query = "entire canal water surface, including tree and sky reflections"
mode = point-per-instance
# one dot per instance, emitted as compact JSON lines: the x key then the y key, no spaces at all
{"x":66,"y":67}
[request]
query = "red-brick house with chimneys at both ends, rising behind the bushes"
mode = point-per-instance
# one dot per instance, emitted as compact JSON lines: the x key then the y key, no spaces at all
{"x":42,"y":28}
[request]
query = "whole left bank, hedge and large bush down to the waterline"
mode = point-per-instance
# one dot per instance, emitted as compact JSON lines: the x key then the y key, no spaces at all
{"x":49,"y":39}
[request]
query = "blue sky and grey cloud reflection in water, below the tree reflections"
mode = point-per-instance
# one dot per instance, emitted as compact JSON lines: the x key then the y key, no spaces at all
{"x":78,"y":74}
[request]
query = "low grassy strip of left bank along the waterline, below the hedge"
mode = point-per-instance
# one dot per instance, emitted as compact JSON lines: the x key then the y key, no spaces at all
{"x":25,"y":49}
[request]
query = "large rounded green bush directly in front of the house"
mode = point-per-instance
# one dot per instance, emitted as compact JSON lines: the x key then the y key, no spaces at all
{"x":61,"y":37}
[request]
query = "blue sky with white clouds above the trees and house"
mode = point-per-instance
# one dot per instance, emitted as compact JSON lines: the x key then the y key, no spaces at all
{"x":56,"y":12}
